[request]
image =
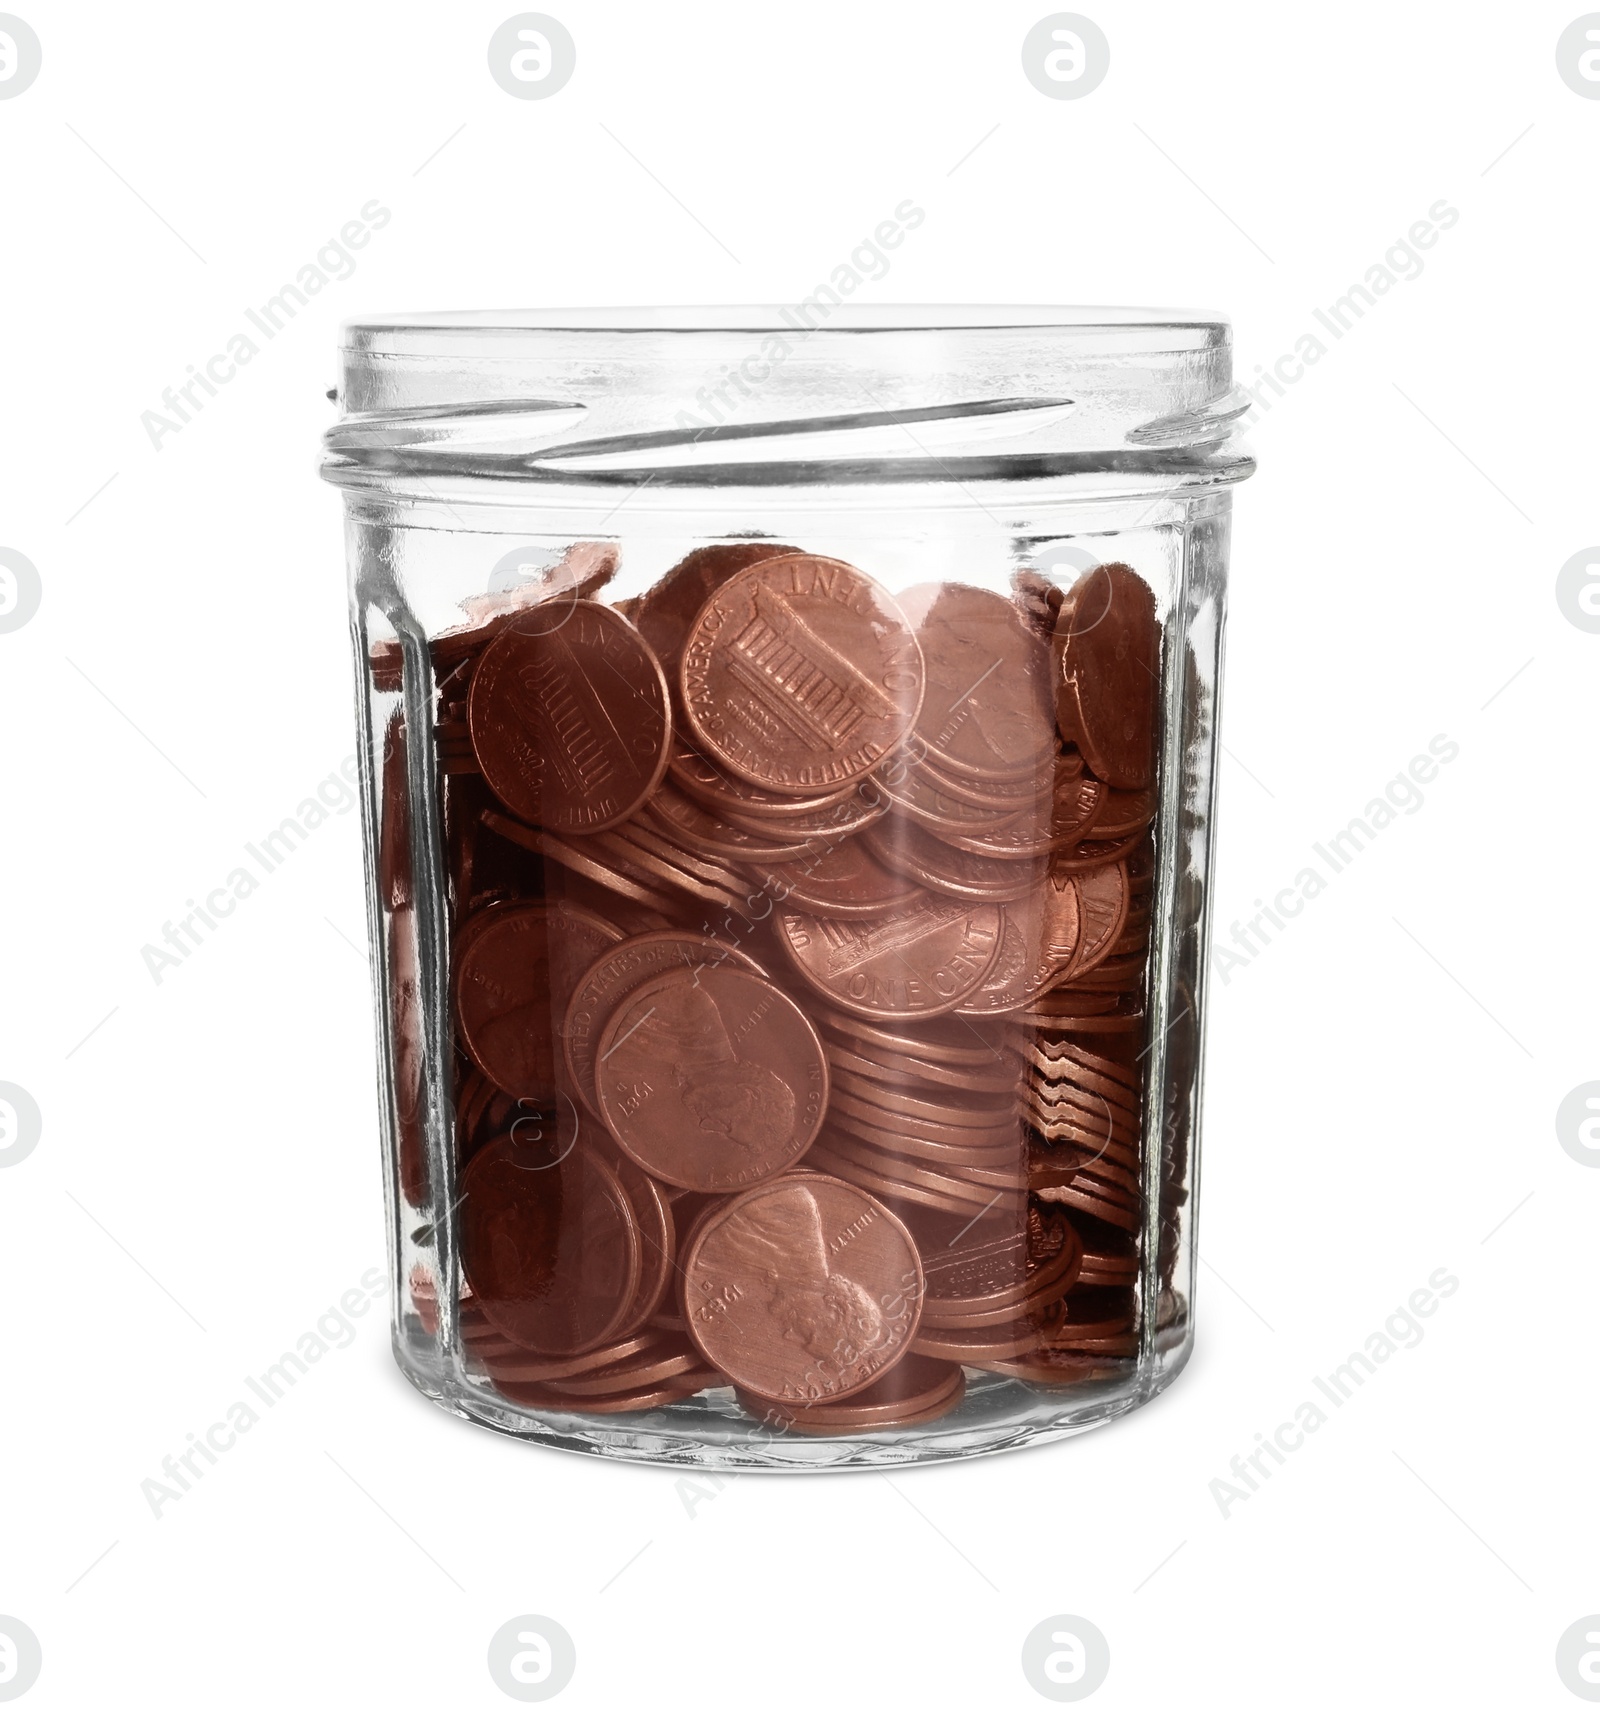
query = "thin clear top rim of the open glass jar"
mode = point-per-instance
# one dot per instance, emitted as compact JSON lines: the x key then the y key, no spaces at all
{"x":1184,"y":327}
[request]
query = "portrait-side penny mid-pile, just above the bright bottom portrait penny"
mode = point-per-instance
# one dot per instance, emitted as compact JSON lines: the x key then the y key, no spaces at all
{"x":712,"y":1081}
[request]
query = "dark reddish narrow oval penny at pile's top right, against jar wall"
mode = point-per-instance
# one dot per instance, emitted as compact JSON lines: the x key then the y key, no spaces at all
{"x":1108,"y":641}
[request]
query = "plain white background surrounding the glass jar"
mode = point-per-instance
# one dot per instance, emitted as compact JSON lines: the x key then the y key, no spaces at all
{"x":1383,"y":1081}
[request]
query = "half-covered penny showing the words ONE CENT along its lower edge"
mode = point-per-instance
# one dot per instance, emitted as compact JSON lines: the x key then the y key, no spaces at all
{"x":907,"y":966}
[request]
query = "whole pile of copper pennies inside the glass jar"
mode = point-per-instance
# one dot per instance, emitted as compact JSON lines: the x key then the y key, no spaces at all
{"x":797,"y":945}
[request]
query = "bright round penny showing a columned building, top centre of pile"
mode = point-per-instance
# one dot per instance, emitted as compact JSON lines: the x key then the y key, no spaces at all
{"x":801,"y":674}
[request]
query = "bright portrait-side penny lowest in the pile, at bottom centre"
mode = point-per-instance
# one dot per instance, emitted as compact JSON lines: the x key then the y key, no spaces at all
{"x":803,"y":1290}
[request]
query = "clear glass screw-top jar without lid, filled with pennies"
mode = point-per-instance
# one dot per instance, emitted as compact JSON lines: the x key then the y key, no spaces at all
{"x":789,"y":748}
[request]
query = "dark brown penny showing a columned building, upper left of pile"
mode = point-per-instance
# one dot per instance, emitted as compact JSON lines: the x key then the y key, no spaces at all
{"x":569,"y":719}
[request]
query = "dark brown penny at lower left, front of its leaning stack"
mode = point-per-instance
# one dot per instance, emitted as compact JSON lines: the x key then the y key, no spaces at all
{"x":550,"y":1247}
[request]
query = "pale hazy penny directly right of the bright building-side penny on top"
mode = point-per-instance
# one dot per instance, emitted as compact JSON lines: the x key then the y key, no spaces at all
{"x":988,"y":703}
